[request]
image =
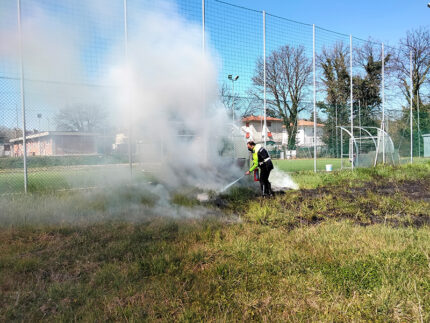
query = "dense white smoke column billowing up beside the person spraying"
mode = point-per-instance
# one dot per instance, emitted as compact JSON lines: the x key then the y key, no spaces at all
{"x":169,"y":93}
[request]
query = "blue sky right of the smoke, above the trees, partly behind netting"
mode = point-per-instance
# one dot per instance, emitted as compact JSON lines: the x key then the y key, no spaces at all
{"x":237,"y":36}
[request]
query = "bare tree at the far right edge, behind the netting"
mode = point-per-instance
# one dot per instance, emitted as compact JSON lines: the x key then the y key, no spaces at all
{"x":416,"y":41}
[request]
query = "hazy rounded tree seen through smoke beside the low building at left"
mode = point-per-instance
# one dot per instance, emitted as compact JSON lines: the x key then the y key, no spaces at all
{"x":81,"y":117}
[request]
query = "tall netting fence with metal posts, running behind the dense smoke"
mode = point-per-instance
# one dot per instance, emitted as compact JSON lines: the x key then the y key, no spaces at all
{"x":57,"y":72}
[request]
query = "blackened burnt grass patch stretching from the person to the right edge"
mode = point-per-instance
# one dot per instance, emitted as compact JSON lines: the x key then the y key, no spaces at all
{"x":394,"y":202}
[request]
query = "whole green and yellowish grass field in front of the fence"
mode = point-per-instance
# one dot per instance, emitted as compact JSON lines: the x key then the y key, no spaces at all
{"x":348,"y":246}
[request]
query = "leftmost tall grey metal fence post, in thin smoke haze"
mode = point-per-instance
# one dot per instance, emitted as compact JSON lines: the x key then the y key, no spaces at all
{"x":24,"y":139}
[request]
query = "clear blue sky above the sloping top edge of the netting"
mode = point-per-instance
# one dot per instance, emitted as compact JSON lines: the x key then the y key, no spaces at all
{"x":384,"y":20}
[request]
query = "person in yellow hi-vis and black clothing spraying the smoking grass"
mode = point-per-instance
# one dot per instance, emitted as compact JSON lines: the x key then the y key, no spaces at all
{"x":261,"y":160}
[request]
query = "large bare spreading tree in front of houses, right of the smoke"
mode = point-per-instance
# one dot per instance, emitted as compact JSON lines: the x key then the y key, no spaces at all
{"x":288,"y":72}
